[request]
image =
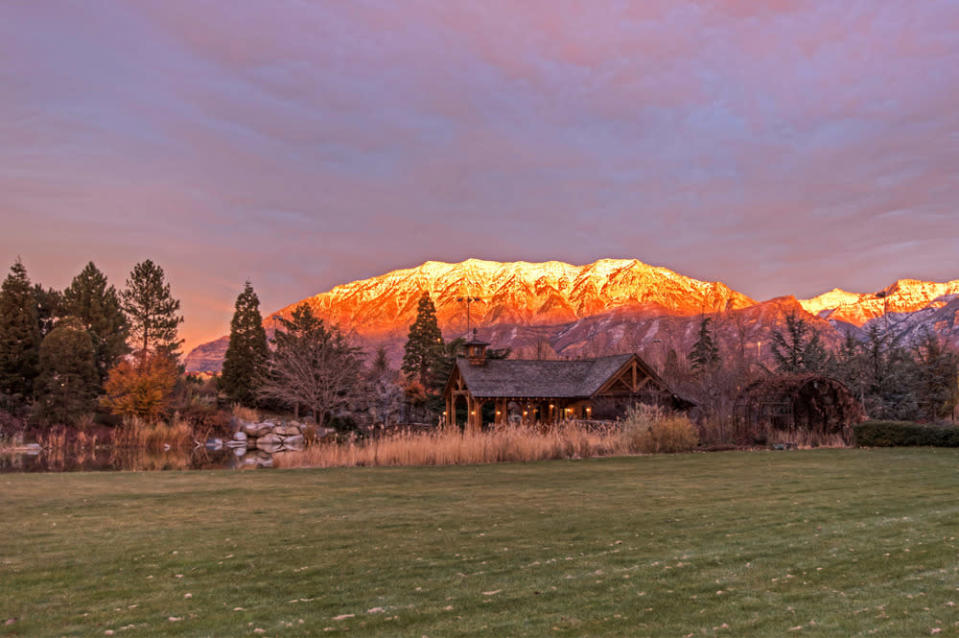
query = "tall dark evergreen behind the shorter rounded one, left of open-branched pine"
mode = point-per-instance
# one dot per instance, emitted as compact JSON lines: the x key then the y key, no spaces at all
{"x":97,"y":306}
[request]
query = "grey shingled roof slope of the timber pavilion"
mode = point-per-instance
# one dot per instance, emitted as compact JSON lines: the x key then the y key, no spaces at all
{"x":578,"y":378}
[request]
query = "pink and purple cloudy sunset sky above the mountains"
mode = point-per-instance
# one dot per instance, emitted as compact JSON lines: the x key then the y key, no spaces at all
{"x":781,"y":147}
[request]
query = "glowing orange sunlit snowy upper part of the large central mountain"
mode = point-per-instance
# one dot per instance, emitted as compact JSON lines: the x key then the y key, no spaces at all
{"x":516,"y":293}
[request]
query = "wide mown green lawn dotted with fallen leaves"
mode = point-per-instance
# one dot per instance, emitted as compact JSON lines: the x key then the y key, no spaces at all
{"x":819,"y":543}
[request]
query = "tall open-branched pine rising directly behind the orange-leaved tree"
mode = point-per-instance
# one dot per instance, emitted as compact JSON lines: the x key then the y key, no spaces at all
{"x":152,"y":312}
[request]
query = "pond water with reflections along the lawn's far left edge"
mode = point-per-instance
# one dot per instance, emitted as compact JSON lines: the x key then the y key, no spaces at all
{"x":105,"y":458}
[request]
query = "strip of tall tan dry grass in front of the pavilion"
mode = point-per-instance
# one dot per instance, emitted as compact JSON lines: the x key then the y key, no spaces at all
{"x":645,"y":430}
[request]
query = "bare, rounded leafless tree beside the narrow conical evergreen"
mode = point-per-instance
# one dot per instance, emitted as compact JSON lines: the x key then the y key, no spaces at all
{"x":314,"y":366}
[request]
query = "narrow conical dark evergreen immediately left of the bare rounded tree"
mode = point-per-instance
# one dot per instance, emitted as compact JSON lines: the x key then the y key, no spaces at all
{"x":246,"y":356}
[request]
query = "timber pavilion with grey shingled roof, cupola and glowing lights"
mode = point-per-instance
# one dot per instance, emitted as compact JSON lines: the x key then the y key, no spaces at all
{"x":483,"y":391}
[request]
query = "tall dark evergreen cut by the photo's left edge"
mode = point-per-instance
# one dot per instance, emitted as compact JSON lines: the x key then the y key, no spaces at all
{"x":19,"y":337}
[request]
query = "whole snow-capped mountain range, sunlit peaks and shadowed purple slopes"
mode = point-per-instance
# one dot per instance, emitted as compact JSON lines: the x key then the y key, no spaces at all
{"x":555,"y":310}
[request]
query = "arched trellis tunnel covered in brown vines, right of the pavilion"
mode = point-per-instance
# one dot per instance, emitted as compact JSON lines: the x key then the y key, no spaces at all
{"x":793,"y":403}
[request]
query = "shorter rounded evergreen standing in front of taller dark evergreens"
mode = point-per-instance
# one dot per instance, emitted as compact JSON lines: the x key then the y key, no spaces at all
{"x":68,"y":382}
